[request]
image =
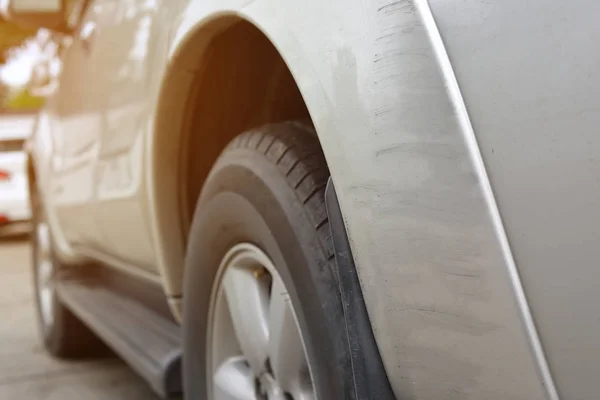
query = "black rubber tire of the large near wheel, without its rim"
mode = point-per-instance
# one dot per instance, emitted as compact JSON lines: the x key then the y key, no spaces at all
{"x":267,"y":188}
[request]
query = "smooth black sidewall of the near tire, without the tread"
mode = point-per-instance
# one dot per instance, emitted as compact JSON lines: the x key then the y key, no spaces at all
{"x":237,"y":206}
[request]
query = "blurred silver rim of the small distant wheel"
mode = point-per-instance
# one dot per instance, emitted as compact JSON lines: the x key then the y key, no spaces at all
{"x":45,"y":274}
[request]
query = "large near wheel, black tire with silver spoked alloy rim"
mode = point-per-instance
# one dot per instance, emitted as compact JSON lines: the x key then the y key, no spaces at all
{"x":262,"y":312}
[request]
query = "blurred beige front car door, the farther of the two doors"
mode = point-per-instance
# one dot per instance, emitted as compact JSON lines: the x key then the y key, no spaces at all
{"x":76,"y":117}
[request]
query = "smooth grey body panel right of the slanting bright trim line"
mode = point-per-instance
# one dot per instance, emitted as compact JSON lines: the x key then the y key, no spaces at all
{"x":529,"y":79}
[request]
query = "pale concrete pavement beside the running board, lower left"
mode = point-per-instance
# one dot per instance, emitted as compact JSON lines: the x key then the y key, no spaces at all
{"x":27,"y":372}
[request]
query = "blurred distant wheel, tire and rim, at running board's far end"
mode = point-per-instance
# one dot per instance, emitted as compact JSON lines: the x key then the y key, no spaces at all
{"x":64,"y":336}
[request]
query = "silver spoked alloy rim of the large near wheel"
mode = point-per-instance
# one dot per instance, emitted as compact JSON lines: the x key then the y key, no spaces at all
{"x":255,"y":346}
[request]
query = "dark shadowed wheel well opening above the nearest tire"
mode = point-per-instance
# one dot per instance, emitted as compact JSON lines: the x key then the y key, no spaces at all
{"x":225,"y":79}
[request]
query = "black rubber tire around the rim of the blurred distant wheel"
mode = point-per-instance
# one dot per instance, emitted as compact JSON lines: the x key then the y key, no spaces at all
{"x":67,"y":337}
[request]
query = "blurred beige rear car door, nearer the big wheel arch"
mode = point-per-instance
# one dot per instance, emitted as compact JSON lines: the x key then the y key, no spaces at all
{"x":131,"y":42}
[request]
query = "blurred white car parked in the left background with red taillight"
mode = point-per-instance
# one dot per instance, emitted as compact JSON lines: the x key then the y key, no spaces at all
{"x":14,"y":192}
